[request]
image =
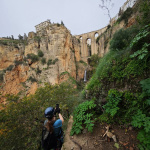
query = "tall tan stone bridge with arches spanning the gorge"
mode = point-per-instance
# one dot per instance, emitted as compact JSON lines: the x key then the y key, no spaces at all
{"x":88,"y":43}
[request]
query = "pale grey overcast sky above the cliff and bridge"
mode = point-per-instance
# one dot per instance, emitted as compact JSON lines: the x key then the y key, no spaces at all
{"x":79,"y":16}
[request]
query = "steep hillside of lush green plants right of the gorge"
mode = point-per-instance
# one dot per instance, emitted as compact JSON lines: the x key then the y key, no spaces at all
{"x":127,"y":64}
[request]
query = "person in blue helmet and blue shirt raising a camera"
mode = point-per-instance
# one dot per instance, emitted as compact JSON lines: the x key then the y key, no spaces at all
{"x":52,"y":134}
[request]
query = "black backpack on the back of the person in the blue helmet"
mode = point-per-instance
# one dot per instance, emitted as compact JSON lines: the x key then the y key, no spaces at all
{"x":49,"y":140}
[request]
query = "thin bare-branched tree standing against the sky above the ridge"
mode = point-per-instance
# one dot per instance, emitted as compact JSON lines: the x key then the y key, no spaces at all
{"x":107,"y":6}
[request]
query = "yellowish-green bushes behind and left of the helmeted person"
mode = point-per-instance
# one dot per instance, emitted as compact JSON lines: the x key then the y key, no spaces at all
{"x":22,"y":120}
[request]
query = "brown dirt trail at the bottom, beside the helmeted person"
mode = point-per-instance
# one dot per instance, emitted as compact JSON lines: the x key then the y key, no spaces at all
{"x":126,"y":138}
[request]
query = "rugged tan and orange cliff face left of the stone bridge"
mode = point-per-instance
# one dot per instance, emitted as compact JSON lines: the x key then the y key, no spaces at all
{"x":23,"y":74}
